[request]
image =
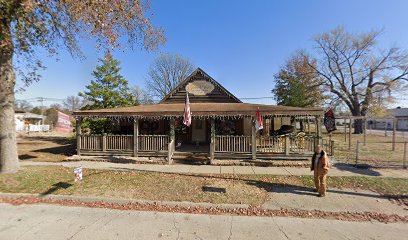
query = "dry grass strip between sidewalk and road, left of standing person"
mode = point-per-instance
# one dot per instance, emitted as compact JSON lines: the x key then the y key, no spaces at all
{"x":131,"y":185}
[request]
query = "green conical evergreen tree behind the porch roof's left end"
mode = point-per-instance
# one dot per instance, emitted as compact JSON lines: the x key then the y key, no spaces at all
{"x":109,"y":89}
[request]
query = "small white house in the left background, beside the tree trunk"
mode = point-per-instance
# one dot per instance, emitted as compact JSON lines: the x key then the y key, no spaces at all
{"x":30,"y":122}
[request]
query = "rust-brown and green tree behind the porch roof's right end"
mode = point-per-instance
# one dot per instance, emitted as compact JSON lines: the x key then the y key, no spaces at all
{"x":296,"y":84}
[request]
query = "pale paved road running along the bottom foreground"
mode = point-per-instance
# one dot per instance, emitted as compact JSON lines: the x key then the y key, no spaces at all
{"x":58,"y":222}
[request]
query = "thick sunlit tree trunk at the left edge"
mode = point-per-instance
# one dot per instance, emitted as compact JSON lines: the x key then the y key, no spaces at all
{"x":8,"y":145}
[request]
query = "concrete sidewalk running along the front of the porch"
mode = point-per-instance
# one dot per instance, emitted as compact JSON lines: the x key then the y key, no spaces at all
{"x":337,"y":170}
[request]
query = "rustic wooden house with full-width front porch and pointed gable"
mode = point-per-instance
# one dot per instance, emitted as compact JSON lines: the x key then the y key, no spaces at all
{"x":222,"y":127}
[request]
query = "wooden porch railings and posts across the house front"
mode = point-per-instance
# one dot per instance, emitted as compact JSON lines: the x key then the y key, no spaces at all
{"x":299,"y":145}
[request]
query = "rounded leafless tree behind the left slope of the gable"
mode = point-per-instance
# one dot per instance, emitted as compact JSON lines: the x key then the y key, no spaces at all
{"x":166,"y":72}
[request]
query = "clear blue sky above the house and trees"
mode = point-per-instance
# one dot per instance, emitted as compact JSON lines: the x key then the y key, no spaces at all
{"x":239,"y":43}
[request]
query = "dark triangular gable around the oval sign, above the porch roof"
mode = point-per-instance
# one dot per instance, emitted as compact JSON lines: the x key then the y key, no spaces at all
{"x":193,"y":76}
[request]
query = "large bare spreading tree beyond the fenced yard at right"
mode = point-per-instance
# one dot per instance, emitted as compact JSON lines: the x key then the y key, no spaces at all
{"x":354,"y":69}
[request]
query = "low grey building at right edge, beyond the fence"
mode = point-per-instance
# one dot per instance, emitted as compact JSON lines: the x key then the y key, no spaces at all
{"x":401,"y":115}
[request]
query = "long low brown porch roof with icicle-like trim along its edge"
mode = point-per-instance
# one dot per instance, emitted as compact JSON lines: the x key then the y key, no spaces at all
{"x":200,"y":110}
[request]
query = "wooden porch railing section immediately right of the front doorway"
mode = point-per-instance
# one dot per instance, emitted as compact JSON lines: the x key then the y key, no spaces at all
{"x":229,"y":143}
